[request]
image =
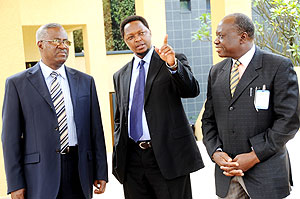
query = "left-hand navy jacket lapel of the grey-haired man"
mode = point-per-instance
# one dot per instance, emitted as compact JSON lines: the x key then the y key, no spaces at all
{"x":35,"y":77}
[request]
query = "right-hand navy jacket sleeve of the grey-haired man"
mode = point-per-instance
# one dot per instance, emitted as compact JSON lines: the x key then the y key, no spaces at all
{"x":101,"y":172}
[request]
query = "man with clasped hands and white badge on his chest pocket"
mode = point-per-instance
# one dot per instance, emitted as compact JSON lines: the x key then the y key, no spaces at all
{"x":250,"y":114}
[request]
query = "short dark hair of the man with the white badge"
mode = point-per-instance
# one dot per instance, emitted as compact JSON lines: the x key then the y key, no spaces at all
{"x":244,"y":24}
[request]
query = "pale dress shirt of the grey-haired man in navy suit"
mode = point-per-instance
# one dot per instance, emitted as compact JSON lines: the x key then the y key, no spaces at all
{"x":64,"y":84}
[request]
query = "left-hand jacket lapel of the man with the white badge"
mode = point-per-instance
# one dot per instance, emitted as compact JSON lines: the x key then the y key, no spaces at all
{"x":224,"y":77}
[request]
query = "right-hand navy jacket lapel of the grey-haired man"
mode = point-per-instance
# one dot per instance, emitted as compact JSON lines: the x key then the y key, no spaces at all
{"x":73,"y":84}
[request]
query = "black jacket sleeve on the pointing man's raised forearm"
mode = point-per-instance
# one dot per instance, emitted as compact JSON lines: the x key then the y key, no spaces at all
{"x":185,"y":82}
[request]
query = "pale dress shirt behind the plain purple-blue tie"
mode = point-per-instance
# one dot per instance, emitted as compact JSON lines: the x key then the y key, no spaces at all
{"x":134,"y":75}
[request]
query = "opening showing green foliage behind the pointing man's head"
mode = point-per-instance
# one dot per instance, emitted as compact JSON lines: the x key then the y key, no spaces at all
{"x":114,"y":12}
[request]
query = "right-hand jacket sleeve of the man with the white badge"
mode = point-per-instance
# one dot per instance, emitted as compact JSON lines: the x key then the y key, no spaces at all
{"x":286,"y":122}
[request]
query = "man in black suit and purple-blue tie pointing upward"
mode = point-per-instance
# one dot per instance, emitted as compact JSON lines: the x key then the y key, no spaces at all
{"x":155,"y":149}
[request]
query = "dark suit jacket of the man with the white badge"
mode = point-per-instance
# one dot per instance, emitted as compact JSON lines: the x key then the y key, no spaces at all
{"x":234,"y":125}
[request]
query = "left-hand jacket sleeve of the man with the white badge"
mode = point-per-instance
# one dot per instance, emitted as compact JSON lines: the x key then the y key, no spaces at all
{"x":209,"y":125}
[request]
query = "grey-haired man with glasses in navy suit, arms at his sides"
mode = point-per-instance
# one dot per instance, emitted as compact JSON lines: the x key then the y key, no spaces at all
{"x":52,"y":136}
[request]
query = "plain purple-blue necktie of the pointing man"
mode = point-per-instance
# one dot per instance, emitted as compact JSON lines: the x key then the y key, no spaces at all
{"x":136,"y":127}
